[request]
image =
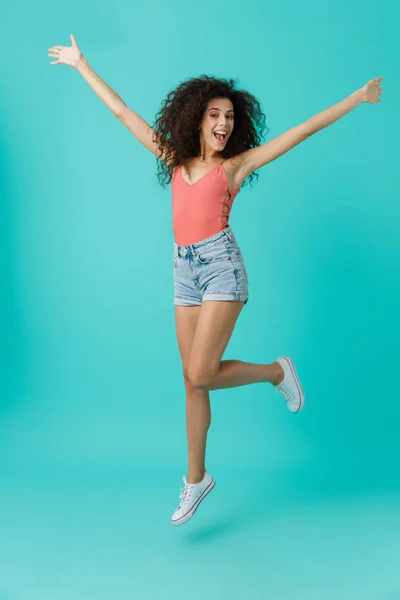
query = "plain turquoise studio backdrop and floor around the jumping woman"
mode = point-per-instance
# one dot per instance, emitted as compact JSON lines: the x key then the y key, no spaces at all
{"x":92,"y":424}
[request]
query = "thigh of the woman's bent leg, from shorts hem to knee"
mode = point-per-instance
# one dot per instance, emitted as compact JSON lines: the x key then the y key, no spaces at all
{"x":214,"y":328}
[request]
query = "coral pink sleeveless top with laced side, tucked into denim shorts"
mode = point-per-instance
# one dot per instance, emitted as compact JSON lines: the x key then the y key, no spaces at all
{"x":200,"y":209}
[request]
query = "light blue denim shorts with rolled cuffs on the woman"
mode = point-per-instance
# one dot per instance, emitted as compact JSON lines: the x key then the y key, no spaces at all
{"x":212,"y":269}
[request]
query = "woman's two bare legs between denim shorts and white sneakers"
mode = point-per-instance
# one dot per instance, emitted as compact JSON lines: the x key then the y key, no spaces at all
{"x":216,"y":322}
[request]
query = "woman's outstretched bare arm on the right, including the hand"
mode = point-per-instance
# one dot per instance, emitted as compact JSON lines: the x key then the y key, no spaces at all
{"x":255,"y":158}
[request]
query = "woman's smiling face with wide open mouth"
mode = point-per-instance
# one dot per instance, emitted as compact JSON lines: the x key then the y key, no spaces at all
{"x":216,"y":126}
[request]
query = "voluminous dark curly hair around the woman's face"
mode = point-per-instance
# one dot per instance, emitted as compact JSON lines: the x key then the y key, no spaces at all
{"x":176,"y":125}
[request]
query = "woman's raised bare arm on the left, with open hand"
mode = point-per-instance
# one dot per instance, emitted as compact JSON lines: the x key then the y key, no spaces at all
{"x":72,"y":56}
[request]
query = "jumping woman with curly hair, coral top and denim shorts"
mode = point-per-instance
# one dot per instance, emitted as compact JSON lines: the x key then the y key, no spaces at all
{"x":207,"y":142}
